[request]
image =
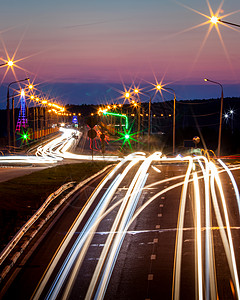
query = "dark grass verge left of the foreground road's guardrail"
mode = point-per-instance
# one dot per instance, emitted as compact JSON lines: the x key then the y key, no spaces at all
{"x":22,"y":196}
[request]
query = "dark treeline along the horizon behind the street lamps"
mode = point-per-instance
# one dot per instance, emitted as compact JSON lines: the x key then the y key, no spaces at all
{"x":193,"y":118}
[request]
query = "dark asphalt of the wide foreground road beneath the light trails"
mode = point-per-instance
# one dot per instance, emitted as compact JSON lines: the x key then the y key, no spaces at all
{"x":140,"y":261}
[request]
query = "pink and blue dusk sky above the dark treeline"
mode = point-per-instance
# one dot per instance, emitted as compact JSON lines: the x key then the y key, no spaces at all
{"x":117,"y":42}
